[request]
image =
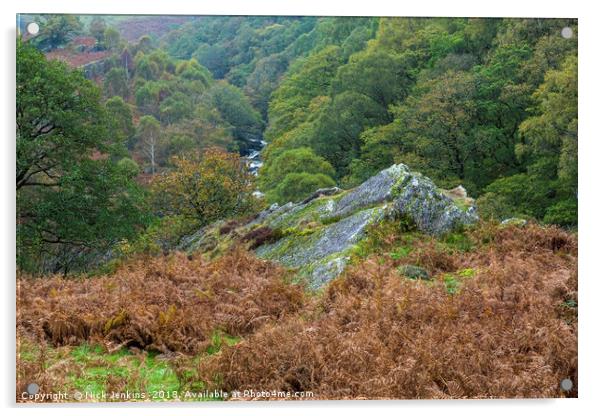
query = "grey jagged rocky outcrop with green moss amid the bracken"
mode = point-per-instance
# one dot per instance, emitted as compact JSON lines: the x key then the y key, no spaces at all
{"x":316,"y":236}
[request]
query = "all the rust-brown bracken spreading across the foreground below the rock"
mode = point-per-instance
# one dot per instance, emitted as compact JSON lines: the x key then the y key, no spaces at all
{"x":496,"y":321}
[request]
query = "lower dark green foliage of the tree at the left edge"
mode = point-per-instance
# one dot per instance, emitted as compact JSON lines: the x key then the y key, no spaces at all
{"x":94,"y":205}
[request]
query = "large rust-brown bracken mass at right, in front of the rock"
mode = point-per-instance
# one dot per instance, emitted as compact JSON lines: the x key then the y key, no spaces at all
{"x":468,"y":333}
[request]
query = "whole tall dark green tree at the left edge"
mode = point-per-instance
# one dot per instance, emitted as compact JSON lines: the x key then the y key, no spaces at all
{"x":73,"y":200}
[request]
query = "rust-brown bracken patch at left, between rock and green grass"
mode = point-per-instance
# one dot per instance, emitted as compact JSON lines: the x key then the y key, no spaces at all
{"x":166,"y":304}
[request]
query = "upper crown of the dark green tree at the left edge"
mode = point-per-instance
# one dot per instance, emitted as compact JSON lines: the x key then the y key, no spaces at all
{"x":59,"y":118}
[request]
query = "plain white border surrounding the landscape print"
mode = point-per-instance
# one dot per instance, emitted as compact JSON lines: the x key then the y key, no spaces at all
{"x":590,"y":22}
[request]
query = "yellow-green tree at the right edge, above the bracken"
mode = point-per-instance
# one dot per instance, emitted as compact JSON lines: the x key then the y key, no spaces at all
{"x":550,"y":148}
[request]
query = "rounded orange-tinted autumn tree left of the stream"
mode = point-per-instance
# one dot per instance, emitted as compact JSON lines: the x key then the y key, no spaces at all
{"x":205,"y":188}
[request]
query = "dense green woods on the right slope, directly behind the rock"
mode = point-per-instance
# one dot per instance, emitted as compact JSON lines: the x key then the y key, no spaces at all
{"x":489,"y":104}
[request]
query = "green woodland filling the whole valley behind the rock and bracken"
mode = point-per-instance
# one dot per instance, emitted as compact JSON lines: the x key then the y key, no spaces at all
{"x":486,"y":103}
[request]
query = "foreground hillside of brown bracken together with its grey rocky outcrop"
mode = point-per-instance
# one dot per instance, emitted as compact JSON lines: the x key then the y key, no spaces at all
{"x":445,"y":316}
